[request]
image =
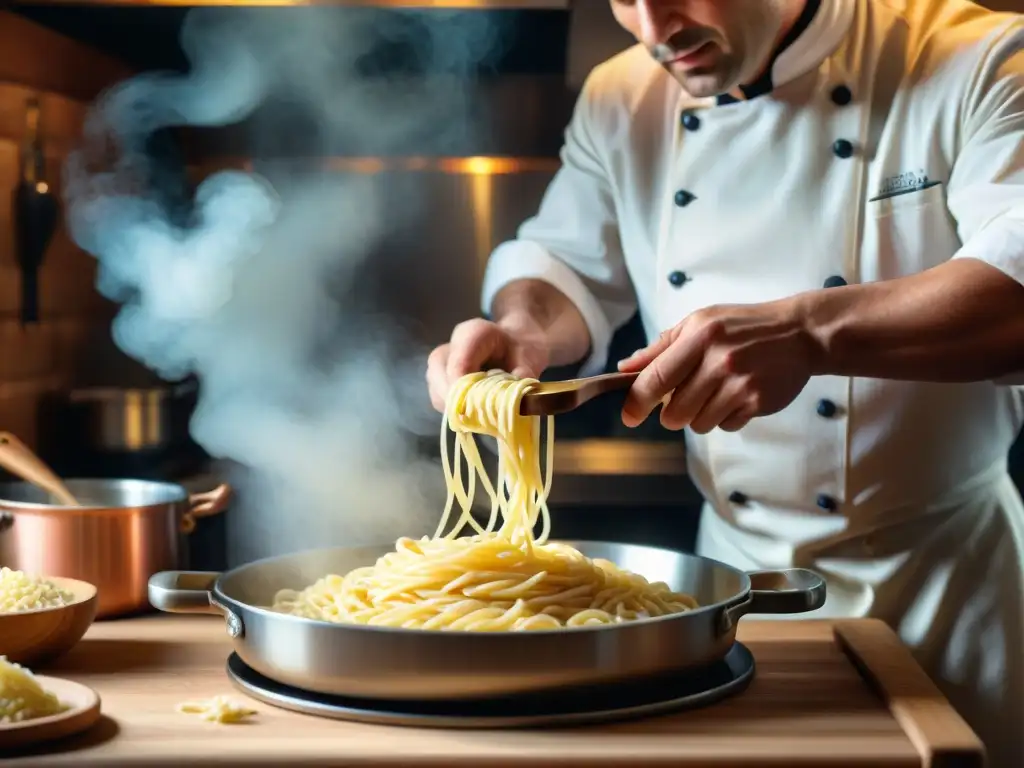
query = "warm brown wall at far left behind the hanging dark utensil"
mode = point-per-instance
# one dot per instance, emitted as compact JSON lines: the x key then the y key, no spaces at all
{"x":64,"y":76}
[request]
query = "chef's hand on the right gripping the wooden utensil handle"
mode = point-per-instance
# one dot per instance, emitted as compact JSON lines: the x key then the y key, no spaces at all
{"x":721,"y":367}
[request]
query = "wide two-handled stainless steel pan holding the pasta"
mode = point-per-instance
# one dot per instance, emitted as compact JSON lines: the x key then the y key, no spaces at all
{"x":395,"y":664}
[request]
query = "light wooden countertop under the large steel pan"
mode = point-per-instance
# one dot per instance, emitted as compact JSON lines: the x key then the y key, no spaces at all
{"x":808,"y":706}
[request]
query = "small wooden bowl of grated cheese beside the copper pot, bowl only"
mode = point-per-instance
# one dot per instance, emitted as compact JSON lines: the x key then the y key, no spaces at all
{"x":36,"y":637}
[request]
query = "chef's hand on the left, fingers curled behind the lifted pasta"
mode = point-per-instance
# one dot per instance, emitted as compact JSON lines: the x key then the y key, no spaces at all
{"x":516,"y":346}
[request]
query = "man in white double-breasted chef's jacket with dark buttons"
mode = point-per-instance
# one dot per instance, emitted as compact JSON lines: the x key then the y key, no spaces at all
{"x":818,"y":207}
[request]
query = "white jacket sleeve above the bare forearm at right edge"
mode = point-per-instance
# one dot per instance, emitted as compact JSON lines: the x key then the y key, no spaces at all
{"x":987,"y":188}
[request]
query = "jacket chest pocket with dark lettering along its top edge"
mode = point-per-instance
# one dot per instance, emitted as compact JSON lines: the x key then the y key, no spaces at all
{"x":908,"y":234}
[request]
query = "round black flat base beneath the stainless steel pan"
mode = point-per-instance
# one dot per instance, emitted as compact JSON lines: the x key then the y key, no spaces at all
{"x":632,"y":700}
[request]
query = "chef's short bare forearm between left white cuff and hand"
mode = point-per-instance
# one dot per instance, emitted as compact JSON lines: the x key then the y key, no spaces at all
{"x":537,"y":306}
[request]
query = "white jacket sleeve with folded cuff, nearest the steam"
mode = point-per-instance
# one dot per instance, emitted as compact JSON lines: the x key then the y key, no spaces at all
{"x":573,"y":243}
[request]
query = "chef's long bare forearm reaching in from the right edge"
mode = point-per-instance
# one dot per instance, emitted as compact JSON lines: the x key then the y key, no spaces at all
{"x":961,"y":322}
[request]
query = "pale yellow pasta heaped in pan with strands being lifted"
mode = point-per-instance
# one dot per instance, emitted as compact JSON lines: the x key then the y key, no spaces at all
{"x":503,"y":577}
